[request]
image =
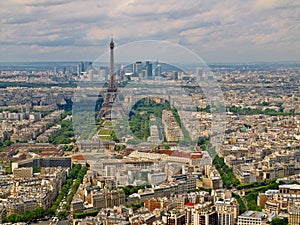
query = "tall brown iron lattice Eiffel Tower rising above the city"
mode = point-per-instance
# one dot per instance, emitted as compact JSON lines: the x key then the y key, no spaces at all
{"x":111,"y":107}
